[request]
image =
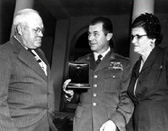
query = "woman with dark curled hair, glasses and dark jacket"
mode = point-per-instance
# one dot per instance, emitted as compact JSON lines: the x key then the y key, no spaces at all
{"x":148,"y":86}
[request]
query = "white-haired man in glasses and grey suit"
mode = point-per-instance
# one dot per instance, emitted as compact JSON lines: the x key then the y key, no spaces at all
{"x":26,"y":91}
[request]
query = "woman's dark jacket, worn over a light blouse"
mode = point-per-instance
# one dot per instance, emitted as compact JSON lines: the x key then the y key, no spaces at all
{"x":151,"y":96}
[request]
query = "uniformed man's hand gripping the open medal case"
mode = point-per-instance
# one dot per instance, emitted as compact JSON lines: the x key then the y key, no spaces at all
{"x":68,"y":93}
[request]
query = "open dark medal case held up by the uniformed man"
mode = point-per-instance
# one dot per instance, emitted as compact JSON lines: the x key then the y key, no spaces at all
{"x":79,"y":75}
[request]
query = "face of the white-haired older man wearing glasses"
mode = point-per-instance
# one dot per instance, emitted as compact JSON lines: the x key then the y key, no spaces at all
{"x":32,"y":32}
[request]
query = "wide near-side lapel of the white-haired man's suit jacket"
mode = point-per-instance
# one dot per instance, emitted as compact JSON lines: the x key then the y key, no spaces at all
{"x":27,"y":58}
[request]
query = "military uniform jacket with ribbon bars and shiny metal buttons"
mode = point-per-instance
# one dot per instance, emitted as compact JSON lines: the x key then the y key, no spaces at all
{"x":107,"y":97}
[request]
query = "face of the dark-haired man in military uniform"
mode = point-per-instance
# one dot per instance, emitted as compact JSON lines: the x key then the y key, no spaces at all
{"x":98,"y":41}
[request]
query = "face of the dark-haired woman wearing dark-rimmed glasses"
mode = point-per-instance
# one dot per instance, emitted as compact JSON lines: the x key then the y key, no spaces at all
{"x":142,"y":44}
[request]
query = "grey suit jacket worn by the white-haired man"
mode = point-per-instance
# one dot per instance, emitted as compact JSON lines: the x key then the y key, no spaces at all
{"x":26,"y":93}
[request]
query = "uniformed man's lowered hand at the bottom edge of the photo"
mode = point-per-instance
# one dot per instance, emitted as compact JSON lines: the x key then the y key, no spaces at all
{"x":108,"y":126}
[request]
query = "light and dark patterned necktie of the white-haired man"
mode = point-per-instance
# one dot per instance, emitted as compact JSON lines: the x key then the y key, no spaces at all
{"x":38,"y":59}
